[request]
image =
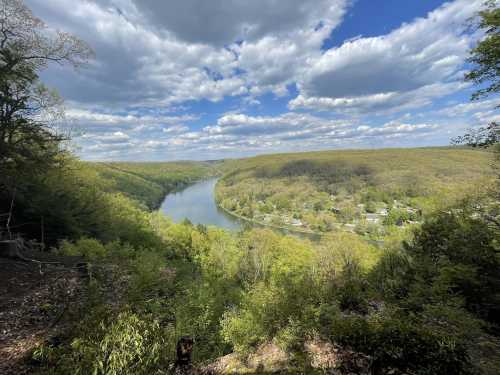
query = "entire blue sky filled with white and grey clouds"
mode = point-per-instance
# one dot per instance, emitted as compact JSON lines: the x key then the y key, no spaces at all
{"x":199,"y":79}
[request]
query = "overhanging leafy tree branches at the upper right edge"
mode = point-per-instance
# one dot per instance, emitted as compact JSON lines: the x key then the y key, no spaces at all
{"x":486,"y":55}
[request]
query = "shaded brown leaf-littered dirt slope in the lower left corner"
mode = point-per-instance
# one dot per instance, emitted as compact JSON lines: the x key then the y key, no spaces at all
{"x":35,"y":299}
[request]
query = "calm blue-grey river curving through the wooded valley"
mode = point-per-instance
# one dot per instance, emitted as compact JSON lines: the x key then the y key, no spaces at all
{"x":197,"y":204}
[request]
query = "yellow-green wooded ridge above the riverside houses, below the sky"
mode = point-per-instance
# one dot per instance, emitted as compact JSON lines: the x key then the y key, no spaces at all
{"x":398,"y":172}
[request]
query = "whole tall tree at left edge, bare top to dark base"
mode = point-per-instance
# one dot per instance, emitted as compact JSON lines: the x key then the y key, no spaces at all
{"x":31,"y":151}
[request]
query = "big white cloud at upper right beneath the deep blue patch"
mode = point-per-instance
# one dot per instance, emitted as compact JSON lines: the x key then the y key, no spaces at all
{"x":394,"y":69}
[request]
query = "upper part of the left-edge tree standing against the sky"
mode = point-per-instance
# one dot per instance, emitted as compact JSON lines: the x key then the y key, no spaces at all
{"x":28,"y":140}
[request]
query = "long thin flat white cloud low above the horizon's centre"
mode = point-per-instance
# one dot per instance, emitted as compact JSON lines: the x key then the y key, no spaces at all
{"x":292,"y":130}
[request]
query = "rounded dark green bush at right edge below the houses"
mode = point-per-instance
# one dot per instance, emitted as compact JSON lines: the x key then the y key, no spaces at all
{"x":457,"y":254}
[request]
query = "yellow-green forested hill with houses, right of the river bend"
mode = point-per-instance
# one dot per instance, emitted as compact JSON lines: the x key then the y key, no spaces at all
{"x":375,"y":193}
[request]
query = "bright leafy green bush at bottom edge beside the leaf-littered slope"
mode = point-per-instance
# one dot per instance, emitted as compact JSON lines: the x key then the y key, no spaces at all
{"x":128,"y":344}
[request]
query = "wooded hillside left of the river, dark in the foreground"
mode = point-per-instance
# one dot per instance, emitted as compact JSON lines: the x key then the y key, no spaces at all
{"x":76,"y":198}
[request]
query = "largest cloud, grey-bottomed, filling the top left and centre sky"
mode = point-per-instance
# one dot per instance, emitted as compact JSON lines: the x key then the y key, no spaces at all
{"x":138,"y":65}
